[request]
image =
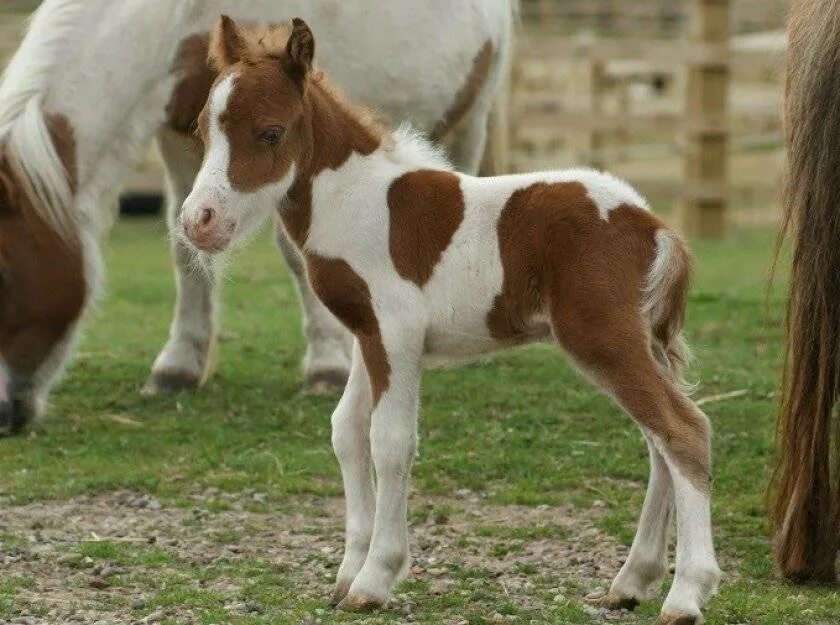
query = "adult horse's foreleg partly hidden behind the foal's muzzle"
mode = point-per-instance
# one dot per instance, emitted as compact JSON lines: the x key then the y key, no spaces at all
{"x":184,"y":361}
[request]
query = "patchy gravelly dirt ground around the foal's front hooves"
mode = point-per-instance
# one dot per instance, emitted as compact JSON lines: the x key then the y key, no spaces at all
{"x":123,"y":557}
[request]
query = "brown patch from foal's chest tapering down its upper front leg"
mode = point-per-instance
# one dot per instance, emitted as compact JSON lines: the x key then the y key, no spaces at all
{"x":346,"y":295}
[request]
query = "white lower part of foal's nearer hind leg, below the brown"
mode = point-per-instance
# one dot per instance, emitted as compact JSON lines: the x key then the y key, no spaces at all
{"x":697,"y":574}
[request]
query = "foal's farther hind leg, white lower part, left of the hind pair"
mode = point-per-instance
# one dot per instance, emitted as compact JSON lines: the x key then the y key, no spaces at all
{"x":647,"y":562}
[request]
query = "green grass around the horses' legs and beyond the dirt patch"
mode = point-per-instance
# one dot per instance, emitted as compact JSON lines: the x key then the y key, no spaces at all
{"x":522,"y":428}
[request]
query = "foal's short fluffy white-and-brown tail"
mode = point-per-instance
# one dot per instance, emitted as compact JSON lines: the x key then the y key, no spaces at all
{"x":663,"y":305}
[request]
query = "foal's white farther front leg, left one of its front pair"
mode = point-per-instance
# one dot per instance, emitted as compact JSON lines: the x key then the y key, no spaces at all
{"x":351,"y":427}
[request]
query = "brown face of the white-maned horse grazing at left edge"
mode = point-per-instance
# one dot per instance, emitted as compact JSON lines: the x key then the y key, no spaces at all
{"x":43,"y":288}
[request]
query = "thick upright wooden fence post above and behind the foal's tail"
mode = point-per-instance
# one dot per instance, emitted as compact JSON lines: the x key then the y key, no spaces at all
{"x":706,"y":156}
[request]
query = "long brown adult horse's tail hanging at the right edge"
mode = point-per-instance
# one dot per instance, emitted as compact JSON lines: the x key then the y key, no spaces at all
{"x":806,"y":513}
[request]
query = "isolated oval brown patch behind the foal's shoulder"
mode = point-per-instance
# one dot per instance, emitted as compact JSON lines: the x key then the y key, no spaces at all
{"x":426,"y":207}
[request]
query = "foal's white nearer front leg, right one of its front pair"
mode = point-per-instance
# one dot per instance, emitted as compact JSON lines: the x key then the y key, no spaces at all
{"x":393,"y":443}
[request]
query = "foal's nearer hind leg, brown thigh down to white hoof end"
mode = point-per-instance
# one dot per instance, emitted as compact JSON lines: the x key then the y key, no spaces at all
{"x":617,"y":355}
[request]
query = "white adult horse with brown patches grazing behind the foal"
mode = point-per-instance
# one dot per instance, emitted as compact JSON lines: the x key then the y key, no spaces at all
{"x":94,"y":81}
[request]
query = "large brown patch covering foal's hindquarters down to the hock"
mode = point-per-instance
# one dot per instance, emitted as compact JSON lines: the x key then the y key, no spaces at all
{"x":561,"y":259}
